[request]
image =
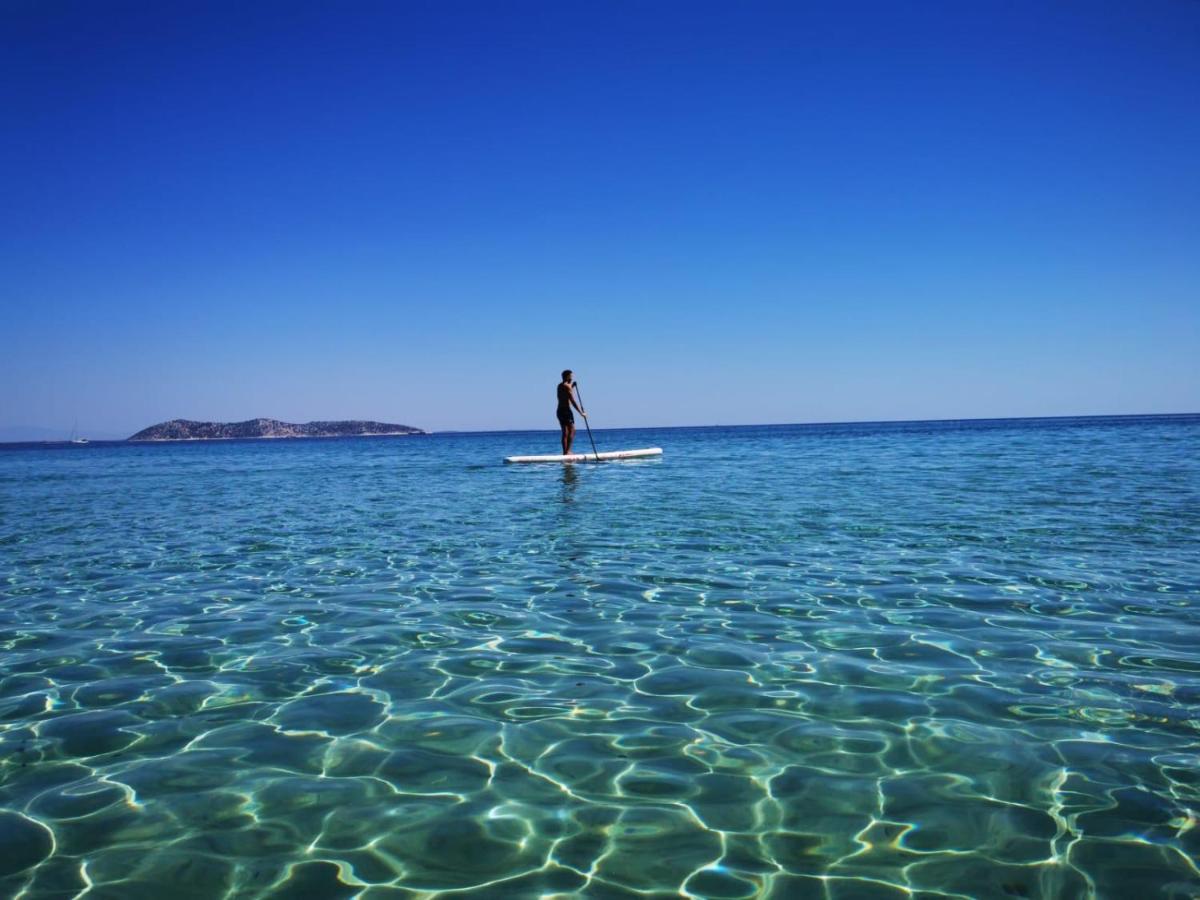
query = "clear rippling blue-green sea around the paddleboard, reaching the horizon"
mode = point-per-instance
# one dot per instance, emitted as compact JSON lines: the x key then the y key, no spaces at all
{"x":838,"y":662}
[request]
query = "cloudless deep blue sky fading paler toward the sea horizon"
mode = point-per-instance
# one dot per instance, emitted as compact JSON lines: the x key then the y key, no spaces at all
{"x":715,"y":213}
